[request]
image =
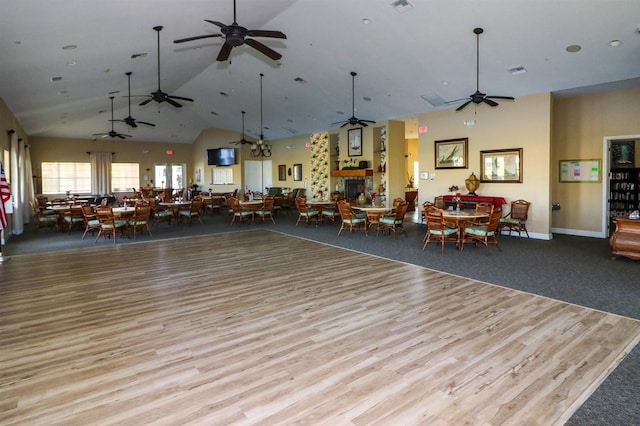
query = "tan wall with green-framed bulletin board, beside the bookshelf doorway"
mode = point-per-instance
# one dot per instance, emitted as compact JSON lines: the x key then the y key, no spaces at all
{"x":580,"y":126}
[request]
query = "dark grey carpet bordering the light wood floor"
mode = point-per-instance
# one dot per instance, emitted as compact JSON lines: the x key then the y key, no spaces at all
{"x":578,"y":270}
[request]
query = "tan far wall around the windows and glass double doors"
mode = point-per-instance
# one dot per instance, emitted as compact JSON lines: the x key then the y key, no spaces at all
{"x":145,"y":153}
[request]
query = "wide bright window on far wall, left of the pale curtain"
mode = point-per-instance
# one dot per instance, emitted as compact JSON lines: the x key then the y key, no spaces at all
{"x":58,"y":178}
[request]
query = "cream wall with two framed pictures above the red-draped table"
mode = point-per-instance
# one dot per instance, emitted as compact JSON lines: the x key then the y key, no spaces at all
{"x":524,"y":123}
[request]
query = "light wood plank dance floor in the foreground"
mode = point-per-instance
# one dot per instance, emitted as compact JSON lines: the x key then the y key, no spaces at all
{"x":261,"y":328}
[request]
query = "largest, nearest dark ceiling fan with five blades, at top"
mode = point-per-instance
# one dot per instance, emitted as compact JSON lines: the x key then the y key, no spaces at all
{"x":236,"y":35}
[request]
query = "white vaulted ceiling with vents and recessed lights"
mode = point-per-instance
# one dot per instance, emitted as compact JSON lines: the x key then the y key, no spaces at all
{"x":427,"y":48}
